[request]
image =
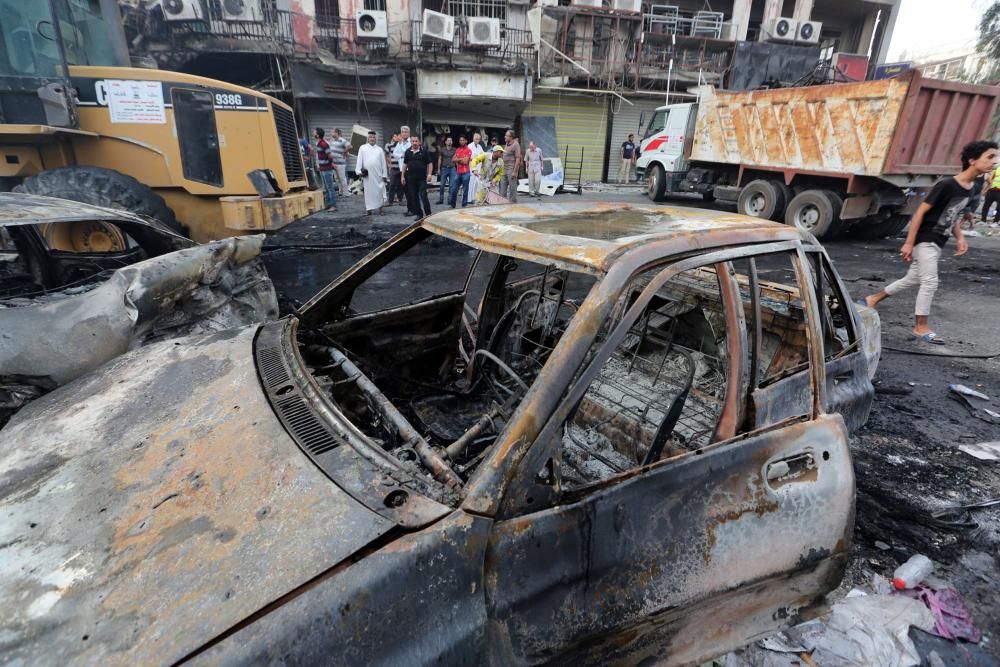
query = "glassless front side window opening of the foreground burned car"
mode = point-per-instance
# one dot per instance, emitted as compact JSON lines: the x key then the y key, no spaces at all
{"x":661,"y":391}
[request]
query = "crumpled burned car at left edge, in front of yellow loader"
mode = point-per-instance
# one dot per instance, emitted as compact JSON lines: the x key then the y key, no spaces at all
{"x":81,"y":284}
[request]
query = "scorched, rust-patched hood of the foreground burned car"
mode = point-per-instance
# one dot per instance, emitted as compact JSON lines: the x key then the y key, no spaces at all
{"x":156,"y":503}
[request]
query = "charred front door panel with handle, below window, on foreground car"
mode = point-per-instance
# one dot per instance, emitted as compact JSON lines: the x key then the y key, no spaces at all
{"x":682,"y":532}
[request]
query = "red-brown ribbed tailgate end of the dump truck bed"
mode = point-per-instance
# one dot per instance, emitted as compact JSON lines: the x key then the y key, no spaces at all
{"x":938,"y":118}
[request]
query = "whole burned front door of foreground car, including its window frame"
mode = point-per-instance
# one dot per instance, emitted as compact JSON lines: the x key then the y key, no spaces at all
{"x":685,"y":556}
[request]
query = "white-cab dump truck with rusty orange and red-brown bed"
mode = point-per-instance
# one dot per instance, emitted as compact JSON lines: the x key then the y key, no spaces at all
{"x":828,"y":159}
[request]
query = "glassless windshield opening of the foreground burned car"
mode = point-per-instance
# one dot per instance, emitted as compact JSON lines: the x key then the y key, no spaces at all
{"x":439,"y":366}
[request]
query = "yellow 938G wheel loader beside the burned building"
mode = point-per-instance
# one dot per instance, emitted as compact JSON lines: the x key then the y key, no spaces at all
{"x":205,"y":157}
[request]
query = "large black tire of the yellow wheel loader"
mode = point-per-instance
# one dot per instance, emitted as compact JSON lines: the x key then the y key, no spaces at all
{"x":101,"y":187}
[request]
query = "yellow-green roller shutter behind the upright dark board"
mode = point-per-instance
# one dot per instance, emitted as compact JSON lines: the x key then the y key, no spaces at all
{"x":581,"y":120}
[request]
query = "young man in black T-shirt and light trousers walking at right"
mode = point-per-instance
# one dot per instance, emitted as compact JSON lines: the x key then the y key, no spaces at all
{"x":938,"y":215}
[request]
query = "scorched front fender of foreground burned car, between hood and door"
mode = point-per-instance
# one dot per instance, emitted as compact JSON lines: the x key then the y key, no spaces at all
{"x":417,"y":601}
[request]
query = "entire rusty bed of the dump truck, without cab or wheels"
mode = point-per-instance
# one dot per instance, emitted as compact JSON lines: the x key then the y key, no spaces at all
{"x":909,"y":125}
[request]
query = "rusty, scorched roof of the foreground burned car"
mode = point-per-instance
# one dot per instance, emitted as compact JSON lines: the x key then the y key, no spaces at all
{"x":592,"y":236}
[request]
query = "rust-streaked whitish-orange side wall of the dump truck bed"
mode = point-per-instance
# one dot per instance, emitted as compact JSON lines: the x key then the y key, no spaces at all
{"x":843,"y":128}
